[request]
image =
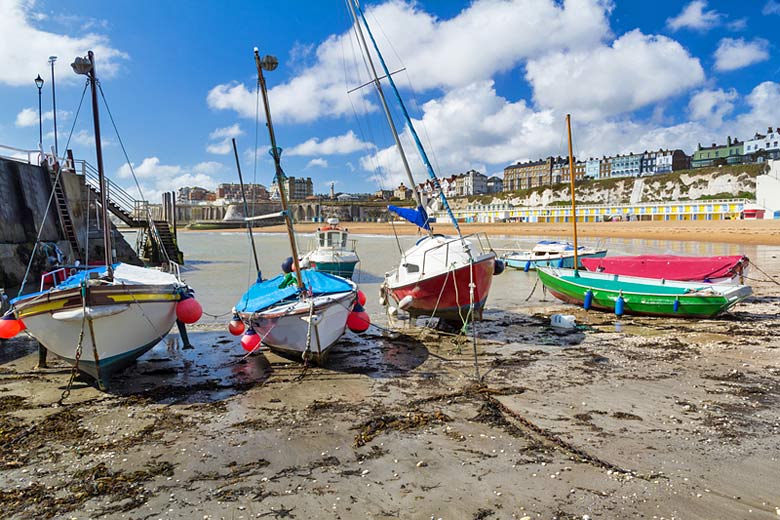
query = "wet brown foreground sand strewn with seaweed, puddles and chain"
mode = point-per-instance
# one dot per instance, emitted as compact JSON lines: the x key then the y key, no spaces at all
{"x":645,"y":417}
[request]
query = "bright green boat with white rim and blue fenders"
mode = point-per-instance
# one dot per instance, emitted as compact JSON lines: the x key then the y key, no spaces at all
{"x":641,"y":296}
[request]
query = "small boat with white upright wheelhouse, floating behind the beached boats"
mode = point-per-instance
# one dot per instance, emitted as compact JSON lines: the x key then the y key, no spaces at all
{"x":333,"y":251}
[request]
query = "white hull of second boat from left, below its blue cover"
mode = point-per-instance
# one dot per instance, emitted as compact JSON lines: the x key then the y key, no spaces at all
{"x":284,"y":328}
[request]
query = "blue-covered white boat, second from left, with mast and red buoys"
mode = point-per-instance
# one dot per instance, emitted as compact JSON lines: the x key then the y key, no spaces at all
{"x":301,"y":313}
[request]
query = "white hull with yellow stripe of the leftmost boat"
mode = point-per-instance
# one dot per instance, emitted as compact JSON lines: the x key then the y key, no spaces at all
{"x":126,"y":321}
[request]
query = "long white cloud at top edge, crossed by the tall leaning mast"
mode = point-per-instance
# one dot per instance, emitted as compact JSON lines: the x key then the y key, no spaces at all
{"x":437,"y":53}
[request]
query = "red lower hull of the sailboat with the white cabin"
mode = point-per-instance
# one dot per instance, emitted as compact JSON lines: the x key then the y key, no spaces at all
{"x":446,"y":295}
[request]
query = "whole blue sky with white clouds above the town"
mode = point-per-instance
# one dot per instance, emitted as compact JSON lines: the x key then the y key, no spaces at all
{"x":487,"y":83}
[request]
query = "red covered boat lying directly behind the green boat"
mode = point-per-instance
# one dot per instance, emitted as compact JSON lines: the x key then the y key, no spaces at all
{"x":711,"y":269}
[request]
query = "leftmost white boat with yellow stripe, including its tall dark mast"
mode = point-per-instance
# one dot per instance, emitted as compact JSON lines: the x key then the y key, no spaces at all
{"x":103,"y":318}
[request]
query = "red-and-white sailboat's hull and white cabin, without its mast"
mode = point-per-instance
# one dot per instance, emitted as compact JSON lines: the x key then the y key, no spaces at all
{"x":444,"y":277}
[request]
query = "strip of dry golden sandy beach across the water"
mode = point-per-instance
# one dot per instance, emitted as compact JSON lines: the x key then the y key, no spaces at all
{"x":753,"y":232}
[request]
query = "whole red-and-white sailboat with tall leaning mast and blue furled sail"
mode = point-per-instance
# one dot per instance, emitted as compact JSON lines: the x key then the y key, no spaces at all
{"x":443,"y":277}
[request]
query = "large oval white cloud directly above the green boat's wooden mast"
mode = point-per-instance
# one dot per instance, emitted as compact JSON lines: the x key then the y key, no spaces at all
{"x":636,"y":70}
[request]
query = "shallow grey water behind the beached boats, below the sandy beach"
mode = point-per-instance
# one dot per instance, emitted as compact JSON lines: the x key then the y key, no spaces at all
{"x":219,"y":265}
